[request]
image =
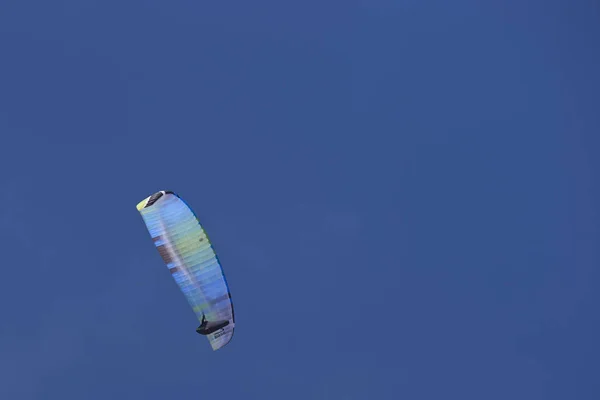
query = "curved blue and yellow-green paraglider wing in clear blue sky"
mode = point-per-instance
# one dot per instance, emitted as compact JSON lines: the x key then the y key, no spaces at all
{"x":189,"y":255}
